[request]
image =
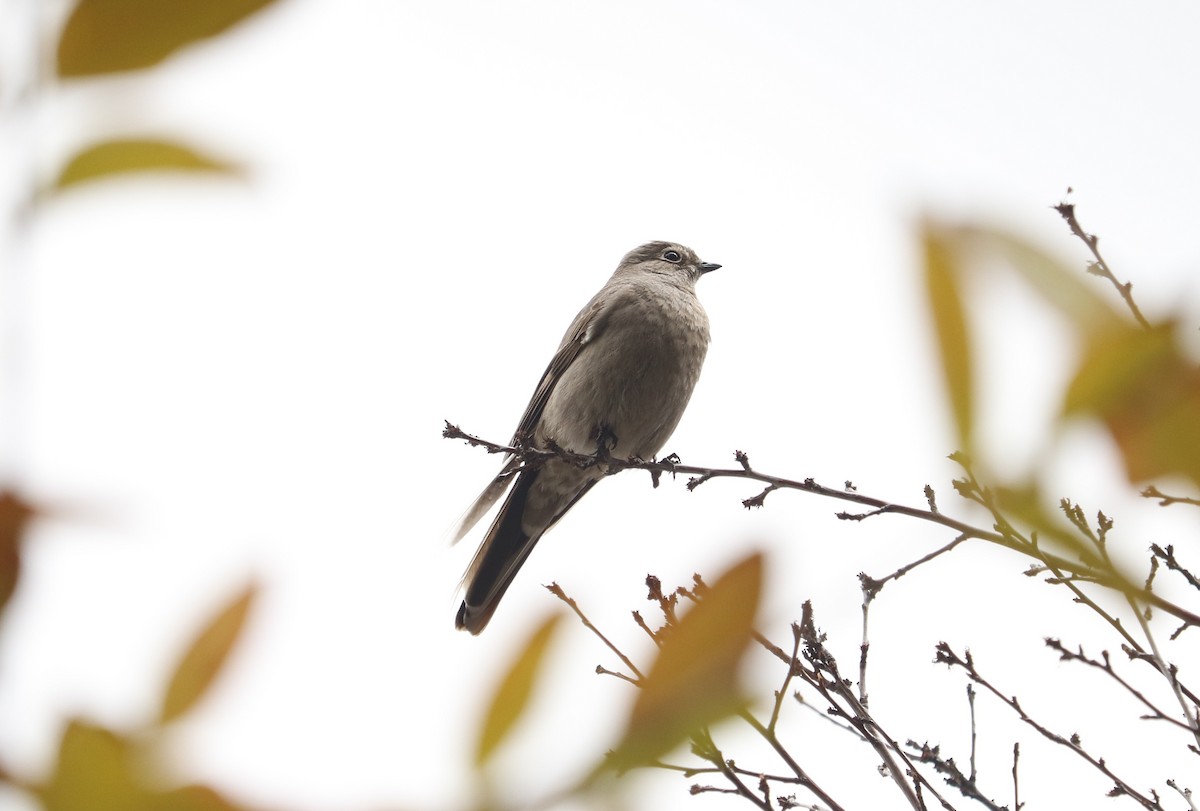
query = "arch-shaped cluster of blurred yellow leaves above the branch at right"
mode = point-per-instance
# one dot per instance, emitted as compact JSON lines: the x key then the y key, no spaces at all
{"x":1139,"y":383}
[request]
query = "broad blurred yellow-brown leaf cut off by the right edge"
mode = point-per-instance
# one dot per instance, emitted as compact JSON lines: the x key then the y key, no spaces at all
{"x":1148,"y":393}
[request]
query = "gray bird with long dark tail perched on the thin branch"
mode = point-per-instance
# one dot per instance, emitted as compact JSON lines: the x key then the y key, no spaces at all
{"x":619,"y":385}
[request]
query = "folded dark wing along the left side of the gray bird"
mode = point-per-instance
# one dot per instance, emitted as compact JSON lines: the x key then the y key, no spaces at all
{"x":585,"y":329}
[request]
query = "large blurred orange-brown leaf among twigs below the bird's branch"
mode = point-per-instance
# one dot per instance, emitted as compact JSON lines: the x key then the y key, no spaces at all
{"x":694,"y":680}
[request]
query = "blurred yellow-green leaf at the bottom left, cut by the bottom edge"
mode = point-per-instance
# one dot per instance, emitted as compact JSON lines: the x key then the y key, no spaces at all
{"x":93,"y":772}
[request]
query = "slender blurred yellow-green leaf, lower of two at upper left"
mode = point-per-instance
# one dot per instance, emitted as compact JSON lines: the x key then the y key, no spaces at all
{"x":112,"y":158}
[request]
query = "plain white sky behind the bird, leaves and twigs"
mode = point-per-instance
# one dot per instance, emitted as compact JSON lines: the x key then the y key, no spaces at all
{"x":235,"y":381}
